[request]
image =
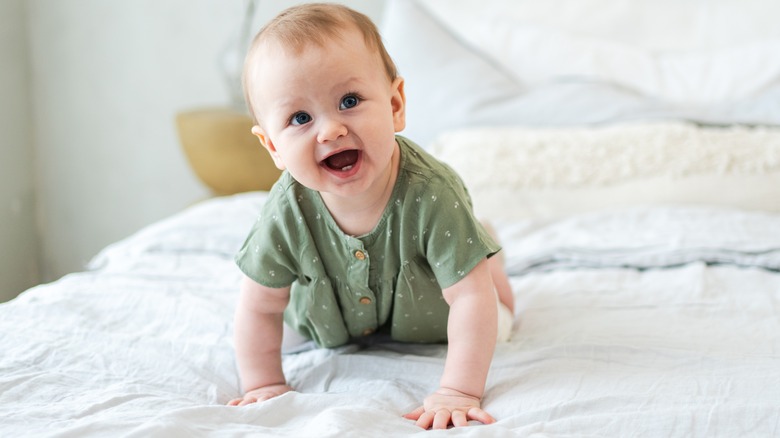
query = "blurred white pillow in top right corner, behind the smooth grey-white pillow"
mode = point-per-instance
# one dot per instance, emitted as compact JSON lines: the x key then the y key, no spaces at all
{"x":638,"y":45}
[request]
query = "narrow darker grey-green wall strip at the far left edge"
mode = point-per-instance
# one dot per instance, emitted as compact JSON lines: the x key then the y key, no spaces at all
{"x":18,"y":240}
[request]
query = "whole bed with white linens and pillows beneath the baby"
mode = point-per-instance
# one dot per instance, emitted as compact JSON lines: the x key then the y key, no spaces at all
{"x":638,"y":207}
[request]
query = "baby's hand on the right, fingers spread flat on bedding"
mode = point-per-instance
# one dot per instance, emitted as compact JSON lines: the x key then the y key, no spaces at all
{"x":448,"y":406}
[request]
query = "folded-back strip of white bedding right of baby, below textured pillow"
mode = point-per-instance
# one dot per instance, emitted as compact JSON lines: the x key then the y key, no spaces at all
{"x":647,"y":238}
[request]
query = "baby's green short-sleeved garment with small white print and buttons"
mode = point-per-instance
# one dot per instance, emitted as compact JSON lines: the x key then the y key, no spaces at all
{"x":389,"y":280}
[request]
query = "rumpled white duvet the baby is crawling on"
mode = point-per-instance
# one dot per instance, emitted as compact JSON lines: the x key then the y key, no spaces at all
{"x":640,"y":334}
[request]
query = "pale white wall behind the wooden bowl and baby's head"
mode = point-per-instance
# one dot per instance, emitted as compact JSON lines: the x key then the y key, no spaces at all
{"x":108,"y":77}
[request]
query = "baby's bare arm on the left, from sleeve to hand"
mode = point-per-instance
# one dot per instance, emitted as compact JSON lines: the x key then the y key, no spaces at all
{"x":258,"y":339}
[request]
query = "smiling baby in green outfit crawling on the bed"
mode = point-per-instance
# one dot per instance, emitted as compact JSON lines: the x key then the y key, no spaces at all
{"x":365,"y":234}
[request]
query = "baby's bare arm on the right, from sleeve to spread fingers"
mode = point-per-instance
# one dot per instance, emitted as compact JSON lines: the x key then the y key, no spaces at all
{"x":471,"y":330}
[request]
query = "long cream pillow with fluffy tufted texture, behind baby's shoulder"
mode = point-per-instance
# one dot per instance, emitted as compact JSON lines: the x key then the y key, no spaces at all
{"x":515,"y":173}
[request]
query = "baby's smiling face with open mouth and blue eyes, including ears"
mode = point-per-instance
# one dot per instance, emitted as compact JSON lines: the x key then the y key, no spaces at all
{"x":328,"y":114}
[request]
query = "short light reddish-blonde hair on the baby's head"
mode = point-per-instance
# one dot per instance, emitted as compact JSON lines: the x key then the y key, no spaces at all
{"x":315,"y":23}
